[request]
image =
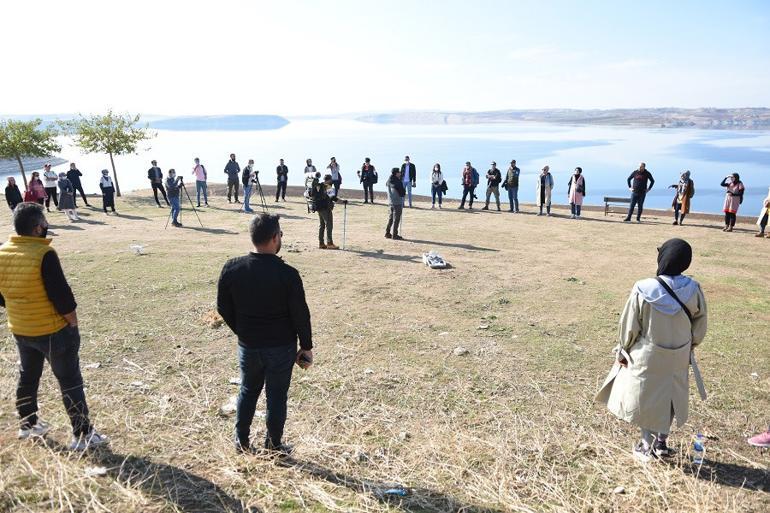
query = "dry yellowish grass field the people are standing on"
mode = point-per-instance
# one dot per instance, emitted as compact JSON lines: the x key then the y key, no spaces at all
{"x":470,"y":387}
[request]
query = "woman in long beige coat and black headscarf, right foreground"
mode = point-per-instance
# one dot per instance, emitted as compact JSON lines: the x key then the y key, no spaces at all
{"x":648,"y":385}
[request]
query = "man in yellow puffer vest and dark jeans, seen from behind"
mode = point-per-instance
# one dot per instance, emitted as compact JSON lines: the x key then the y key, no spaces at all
{"x":42,"y":318}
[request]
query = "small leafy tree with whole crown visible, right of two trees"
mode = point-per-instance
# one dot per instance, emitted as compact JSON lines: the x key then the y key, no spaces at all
{"x":110,"y":133}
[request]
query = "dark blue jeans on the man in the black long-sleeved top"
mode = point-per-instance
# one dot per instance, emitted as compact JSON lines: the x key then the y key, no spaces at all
{"x":269,"y":368}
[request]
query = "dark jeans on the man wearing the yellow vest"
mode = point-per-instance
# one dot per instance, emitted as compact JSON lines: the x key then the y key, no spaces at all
{"x":61,"y":350}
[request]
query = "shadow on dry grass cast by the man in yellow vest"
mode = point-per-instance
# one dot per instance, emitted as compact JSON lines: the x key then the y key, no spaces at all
{"x":189,"y":493}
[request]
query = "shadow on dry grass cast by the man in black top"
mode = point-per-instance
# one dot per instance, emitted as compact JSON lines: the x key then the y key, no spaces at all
{"x":415,"y":499}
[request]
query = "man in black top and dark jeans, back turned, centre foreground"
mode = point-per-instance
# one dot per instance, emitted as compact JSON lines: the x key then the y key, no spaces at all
{"x":262,"y":300}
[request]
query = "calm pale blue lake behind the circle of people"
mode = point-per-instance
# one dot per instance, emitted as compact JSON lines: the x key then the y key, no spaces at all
{"x":606,"y":154}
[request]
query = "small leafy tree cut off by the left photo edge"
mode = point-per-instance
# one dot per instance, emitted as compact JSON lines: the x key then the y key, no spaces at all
{"x":20,"y":139}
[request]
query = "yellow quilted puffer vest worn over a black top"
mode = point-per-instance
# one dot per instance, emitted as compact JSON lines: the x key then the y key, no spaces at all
{"x":30,"y":312}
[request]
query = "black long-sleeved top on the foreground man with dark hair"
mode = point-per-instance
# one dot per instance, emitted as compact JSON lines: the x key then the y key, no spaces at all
{"x":262,"y":299}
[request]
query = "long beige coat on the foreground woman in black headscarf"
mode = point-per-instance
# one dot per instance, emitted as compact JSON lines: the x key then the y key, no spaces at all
{"x":654,"y":388}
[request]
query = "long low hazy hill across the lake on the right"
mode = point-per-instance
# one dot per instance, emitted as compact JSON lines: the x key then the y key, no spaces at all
{"x":742,"y":118}
